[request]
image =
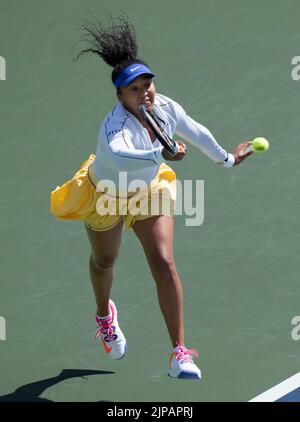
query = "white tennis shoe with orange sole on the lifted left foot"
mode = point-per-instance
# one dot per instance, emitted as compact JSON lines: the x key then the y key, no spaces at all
{"x":111,"y":335}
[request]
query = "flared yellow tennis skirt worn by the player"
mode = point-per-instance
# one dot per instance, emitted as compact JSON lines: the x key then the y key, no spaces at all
{"x":78,"y":200}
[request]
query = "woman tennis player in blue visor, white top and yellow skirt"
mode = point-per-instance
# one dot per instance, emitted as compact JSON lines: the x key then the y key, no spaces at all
{"x":127,"y":144}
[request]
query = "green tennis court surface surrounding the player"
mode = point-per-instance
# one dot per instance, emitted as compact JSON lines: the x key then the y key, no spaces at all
{"x":229,"y":64}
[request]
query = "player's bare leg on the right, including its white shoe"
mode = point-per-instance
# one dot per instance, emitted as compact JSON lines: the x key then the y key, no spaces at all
{"x":156,"y":237}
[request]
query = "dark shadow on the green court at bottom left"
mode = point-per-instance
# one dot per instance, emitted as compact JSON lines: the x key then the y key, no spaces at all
{"x":31,"y":392}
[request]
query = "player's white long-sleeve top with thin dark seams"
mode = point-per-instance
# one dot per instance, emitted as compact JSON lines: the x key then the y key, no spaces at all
{"x":124,"y":145}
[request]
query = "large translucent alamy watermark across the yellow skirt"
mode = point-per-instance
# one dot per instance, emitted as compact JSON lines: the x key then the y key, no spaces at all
{"x":176,"y":197}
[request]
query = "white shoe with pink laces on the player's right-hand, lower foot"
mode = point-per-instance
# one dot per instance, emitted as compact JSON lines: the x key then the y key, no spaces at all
{"x":181,"y":363}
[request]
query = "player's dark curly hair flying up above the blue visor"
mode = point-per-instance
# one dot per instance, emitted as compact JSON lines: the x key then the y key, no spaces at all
{"x":117,"y":45}
